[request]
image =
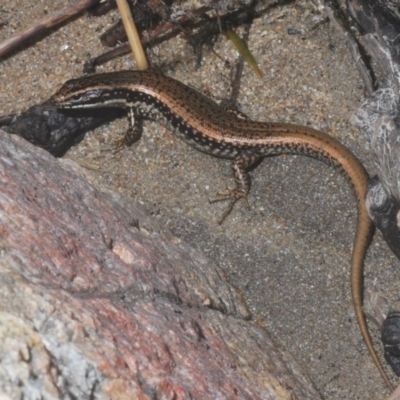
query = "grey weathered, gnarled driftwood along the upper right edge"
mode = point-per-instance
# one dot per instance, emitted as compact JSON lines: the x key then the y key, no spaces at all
{"x":378,"y":115}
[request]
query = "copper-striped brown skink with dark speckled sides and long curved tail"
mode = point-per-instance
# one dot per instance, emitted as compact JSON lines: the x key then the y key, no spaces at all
{"x":209,"y":128}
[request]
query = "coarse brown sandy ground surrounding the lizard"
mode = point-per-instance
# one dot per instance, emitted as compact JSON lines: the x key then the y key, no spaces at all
{"x":290,"y":252}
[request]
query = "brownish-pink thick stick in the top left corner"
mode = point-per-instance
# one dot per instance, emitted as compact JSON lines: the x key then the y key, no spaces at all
{"x":8,"y":45}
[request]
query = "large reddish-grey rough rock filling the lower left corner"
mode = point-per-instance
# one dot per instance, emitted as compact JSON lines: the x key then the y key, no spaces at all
{"x":97,"y":301}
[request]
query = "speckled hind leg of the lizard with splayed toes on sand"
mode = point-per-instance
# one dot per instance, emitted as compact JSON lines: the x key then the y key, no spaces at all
{"x":240,"y":166}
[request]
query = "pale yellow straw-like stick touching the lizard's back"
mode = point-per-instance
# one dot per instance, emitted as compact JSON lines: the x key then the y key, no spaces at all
{"x":133,"y":36}
